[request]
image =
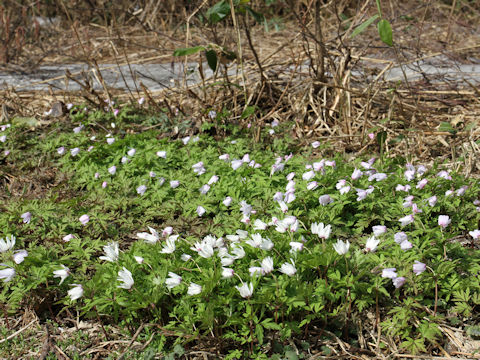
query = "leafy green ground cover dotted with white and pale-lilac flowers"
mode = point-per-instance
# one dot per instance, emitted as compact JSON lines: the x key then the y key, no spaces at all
{"x":223,"y":240}
